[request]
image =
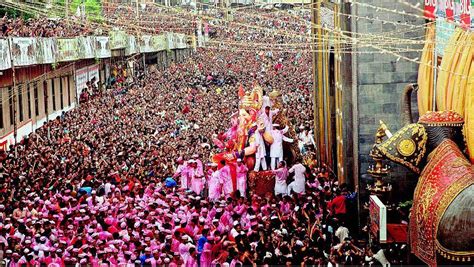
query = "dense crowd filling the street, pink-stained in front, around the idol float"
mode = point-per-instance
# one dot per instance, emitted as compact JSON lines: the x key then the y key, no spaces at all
{"x":95,"y":186}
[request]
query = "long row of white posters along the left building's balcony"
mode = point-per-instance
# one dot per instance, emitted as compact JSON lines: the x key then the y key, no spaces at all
{"x":27,"y":51}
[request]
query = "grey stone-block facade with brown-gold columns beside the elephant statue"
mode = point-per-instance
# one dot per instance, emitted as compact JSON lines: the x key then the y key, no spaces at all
{"x":359,"y":84}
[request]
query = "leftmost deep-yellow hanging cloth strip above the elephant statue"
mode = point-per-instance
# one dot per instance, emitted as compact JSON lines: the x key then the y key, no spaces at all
{"x":425,"y":73}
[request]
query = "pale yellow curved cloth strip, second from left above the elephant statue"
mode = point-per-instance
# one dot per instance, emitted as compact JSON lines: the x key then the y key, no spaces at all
{"x":443,"y":74}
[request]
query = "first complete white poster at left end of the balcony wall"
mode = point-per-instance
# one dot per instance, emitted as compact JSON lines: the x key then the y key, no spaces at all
{"x":24,"y":51}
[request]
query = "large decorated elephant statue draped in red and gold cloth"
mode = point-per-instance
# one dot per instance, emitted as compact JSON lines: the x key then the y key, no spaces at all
{"x":442,"y":216}
